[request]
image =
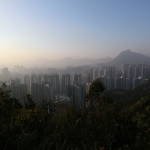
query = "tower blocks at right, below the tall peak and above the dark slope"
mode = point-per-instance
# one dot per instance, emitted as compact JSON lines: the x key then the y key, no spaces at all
{"x":129,"y":77}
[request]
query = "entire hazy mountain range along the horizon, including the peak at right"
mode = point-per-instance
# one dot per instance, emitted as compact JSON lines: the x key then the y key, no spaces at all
{"x":127,"y":57}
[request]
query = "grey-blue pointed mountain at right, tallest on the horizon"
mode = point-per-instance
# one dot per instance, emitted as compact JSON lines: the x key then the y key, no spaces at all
{"x":129,"y":57}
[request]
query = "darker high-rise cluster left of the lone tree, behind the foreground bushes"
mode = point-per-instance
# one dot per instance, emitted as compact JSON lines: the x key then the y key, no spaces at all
{"x":48,"y":87}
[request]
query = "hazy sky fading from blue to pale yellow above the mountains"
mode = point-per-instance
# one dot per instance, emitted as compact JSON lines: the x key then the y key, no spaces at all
{"x":54,"y":29}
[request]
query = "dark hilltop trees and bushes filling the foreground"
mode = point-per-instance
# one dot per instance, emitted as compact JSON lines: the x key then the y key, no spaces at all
{"x":105,"y":125}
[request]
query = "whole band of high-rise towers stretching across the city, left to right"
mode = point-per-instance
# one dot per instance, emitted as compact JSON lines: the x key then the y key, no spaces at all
{"x":52,"y":86}
